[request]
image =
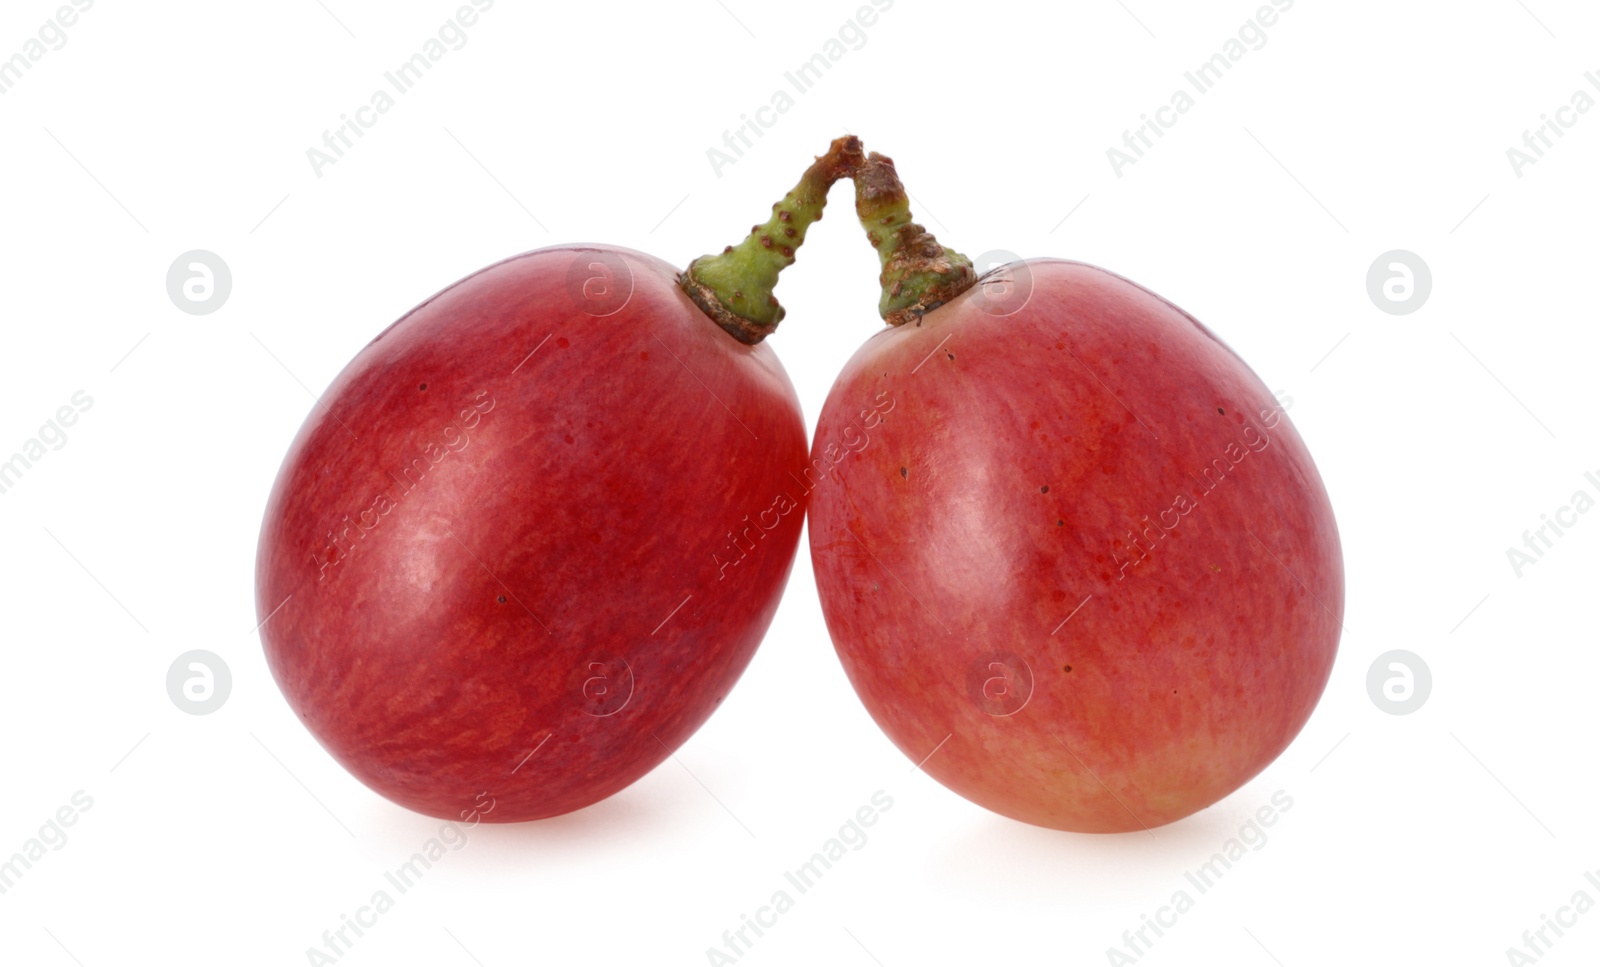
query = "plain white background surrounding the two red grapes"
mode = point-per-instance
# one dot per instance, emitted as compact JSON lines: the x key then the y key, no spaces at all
{"x":1442,"y":436}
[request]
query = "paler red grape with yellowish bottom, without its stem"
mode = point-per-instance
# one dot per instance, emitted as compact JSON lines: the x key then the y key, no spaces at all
{"x":1073,"y":553}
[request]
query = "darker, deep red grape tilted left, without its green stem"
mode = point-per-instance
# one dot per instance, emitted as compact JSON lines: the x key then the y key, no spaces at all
{"x":532,"y":537}
